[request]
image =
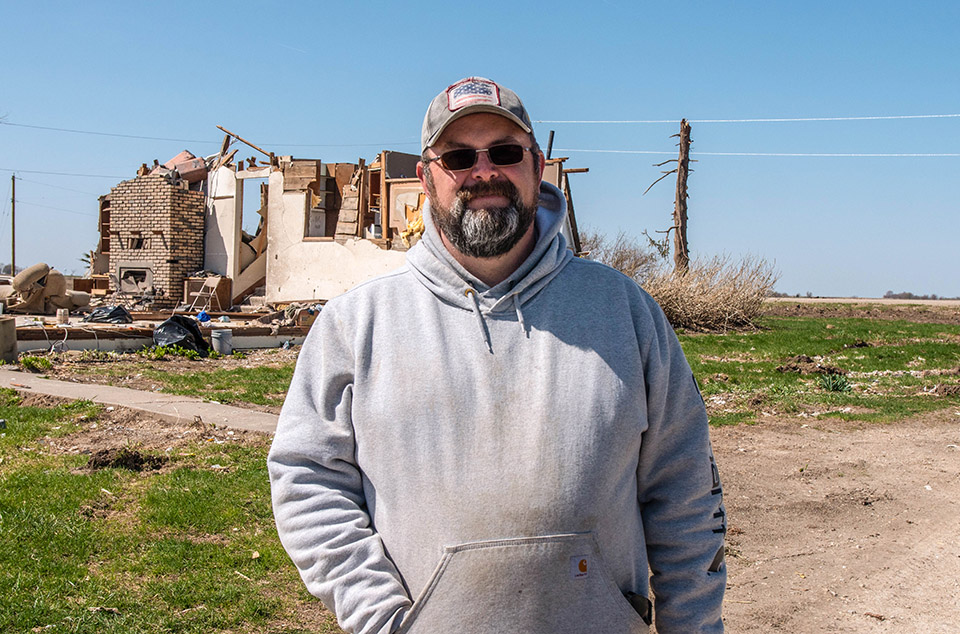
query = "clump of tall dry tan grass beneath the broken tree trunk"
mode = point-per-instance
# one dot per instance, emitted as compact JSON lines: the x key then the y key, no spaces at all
{"x":714,"y":295}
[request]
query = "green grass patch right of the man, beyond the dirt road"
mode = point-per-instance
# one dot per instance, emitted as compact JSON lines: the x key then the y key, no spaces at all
{"x":888,"y":369}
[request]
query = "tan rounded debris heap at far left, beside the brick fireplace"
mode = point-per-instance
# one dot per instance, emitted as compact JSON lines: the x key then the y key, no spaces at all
{"x":38,"y":289}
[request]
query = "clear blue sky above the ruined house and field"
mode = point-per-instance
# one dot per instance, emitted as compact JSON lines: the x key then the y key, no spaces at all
{"x":342,"y":80}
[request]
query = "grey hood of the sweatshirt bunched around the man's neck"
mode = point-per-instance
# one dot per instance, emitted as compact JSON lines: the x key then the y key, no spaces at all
{"x":446,"y":278}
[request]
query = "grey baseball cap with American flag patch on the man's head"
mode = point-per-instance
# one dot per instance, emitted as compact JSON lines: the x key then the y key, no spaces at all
{"x":468,"y":96}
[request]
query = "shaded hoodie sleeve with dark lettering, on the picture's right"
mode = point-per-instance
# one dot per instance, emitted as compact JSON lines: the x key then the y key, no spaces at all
{"x":679,"y":490}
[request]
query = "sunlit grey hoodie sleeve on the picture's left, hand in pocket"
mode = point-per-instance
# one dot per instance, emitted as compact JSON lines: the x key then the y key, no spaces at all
{"x":317,"y":490}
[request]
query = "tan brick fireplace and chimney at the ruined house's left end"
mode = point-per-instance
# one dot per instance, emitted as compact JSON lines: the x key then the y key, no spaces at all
{"x":156,"y":237}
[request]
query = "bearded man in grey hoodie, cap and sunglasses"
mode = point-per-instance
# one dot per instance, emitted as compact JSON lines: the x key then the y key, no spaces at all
{"x":498,"y":437}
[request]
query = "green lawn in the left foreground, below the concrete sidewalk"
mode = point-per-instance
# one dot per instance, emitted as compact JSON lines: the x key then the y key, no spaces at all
{"x":188,"y":548}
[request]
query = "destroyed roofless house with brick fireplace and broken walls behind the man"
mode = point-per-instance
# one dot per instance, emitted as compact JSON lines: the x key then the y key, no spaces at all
{"x":177,"y":229}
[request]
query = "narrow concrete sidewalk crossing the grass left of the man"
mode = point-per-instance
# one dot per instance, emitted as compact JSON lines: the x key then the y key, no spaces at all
{"x":176,"y":409}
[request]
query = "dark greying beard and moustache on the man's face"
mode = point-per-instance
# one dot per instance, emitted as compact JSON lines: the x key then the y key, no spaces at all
{"x":485,"y":232}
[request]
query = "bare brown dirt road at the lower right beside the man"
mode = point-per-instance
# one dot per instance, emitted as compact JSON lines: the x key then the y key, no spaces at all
{"x":842,"y":528}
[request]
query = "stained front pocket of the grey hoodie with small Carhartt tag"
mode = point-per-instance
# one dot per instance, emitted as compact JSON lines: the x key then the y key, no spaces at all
{"x":555,"y":584}
